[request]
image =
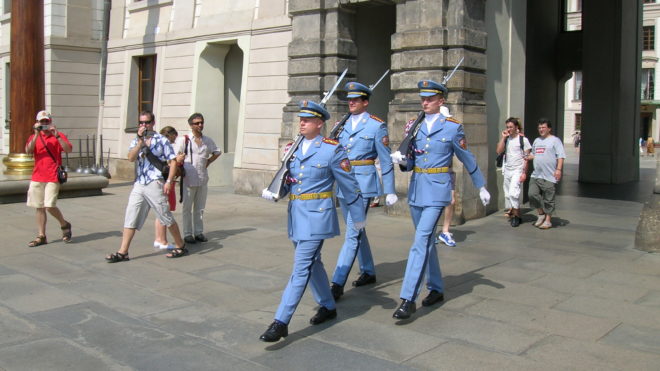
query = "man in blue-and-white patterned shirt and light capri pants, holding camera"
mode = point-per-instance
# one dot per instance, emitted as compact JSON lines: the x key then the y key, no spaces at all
{"x":153,"y":153}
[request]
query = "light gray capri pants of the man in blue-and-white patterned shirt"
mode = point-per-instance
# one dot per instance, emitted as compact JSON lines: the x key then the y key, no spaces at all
{"x":142,"y":199}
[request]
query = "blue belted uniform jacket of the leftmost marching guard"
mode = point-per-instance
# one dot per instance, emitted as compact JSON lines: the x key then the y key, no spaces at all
{"x":324,"y":163}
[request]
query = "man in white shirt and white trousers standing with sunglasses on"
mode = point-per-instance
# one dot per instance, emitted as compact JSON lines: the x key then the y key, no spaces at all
{"x":200,"y":152}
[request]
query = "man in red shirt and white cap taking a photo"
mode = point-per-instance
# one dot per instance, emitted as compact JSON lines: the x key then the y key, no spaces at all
{"x":47,"y":145}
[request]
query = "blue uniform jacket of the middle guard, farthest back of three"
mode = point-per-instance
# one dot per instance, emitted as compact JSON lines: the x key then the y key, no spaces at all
{"x":368,"y":141}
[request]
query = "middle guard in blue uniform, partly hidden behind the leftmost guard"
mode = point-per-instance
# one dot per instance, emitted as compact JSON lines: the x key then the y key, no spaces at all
{"x":365,"y":139}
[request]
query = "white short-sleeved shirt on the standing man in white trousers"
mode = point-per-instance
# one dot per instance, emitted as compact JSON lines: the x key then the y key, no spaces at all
{"x":195,"y":163}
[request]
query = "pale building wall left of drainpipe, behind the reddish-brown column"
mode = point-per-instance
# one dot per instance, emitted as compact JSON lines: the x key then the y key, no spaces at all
{"x":72,"y":37}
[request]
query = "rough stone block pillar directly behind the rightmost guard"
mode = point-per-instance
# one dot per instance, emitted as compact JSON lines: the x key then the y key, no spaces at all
{"x":430,"y":39}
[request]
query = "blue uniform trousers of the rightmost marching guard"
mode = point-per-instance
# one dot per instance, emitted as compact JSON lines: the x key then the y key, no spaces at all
{"x":423,"y":257}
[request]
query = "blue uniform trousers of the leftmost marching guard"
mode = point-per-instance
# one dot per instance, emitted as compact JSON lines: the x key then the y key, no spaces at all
{"x":307,"y":267}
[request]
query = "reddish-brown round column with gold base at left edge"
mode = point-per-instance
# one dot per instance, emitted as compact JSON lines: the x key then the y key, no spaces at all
{"x":27,"y":80}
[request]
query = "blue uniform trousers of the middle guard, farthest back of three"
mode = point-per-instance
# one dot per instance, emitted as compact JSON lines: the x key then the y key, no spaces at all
{"x":355,"y":244}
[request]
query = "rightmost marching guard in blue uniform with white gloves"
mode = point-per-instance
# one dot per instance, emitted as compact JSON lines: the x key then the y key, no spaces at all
{"x":434,"y":146}
